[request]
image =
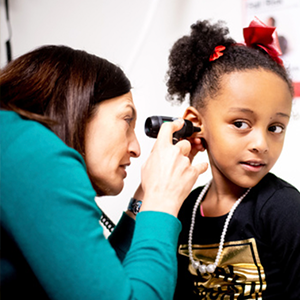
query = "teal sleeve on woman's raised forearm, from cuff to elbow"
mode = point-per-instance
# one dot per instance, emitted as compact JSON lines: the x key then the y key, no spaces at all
{"x":152,"y":257}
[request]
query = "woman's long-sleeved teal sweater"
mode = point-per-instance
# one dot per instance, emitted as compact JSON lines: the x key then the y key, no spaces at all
{"x":52,"y":245}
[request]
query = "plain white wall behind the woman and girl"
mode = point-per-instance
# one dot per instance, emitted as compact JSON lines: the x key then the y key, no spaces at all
{"x":136,"y":35}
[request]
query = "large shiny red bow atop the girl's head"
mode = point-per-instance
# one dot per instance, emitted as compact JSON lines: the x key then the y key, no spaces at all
{"x":261,"y":35}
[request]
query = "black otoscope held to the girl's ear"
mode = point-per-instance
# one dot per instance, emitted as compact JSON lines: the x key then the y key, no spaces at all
{"x":153,"y":124}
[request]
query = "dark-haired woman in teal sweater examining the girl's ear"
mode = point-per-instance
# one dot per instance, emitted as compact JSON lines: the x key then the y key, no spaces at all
{"x":67,"y":114}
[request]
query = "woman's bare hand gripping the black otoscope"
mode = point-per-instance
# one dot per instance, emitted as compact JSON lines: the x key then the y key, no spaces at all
{"x":167,"y":175}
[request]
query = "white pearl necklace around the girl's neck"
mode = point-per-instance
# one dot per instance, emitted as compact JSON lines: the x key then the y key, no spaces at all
{"x":196,"y":264}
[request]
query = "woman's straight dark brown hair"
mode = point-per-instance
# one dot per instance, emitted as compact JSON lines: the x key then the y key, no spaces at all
{"x":60,"y":87}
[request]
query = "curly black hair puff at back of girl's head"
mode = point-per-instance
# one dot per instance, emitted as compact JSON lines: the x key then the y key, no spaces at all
{"x":189,"y":56}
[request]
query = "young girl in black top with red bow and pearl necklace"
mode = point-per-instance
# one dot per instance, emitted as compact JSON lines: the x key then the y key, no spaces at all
{"x":241,"y":232}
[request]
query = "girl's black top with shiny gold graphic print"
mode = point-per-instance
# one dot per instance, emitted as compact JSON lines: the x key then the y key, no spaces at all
{"x":261,"y":254}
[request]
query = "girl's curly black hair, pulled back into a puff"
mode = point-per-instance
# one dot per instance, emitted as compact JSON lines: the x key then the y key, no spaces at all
{"x":191,"y":73}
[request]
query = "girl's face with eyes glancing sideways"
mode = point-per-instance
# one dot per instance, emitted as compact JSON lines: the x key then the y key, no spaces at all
{"x":244,"y":126}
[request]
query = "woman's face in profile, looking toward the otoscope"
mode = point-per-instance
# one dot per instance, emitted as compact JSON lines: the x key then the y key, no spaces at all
{"x":110,"y":142}
